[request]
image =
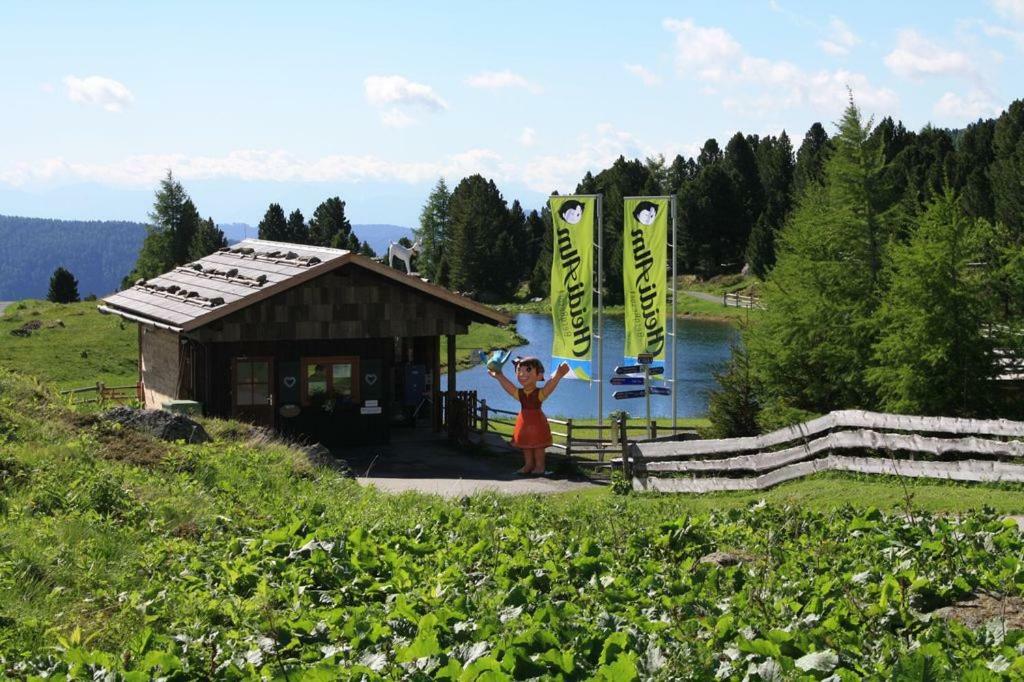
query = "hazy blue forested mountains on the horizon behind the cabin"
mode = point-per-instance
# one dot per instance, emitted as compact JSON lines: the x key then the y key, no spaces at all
{"x":100,"y":253}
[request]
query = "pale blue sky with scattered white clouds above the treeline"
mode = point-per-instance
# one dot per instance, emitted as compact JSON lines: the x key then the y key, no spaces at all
{"x":254,"y":103}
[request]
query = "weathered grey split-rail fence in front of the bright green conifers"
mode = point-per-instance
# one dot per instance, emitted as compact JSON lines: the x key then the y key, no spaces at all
{"x":917,"y":447}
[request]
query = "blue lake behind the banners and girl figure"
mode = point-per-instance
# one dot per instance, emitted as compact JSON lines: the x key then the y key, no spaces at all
{"x":703,"y":348}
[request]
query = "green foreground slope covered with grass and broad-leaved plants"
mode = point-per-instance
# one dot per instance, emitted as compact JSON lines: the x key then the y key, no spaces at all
{"x":126,"y":559}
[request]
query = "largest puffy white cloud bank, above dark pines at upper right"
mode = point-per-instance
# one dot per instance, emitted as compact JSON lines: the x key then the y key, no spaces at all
{"x":752,"y":86}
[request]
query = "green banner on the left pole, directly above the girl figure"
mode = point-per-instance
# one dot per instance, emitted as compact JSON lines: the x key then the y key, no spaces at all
{"x":573,"y":283}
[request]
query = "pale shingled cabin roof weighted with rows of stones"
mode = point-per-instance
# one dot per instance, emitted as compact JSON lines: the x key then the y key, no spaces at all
{"x":196,"y":294}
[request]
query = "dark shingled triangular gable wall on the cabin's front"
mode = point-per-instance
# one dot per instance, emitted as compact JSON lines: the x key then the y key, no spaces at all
{"x":349,"y":304}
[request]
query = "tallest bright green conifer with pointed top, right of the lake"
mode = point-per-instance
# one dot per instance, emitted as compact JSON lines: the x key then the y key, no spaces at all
{"x":816,"y":339}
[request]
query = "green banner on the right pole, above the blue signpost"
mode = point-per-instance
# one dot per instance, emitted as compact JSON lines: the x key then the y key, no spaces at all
{"x":645,"y":246}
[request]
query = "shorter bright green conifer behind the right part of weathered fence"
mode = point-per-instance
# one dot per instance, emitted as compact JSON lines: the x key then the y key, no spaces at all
{"x":933,"y":356}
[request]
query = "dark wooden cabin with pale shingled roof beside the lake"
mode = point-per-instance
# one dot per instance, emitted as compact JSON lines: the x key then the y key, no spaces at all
{"x":314,"y":343}
